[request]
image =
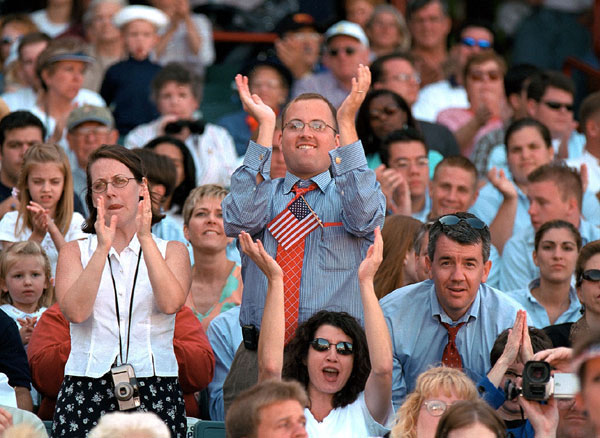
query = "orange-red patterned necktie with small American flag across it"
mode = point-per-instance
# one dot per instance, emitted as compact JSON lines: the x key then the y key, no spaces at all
{"x":290,"y":228}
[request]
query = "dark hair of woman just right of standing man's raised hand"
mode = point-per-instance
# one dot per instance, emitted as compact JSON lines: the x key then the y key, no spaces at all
{"x":370,"y":139}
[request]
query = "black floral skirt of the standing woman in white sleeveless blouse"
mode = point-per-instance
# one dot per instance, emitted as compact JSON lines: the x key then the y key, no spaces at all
{"x":83,"y":400}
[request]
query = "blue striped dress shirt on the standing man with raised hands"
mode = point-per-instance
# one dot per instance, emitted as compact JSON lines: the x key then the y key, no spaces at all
{"x":348,"y":201}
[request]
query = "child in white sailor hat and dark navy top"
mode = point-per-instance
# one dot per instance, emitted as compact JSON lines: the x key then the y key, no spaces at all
{"x":126,"y":85}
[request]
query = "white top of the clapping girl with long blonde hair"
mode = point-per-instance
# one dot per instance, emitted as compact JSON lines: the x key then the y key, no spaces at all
{"x":7,"y":233}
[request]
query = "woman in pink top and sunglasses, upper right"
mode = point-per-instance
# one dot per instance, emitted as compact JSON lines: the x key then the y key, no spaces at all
{"x":483,"y":79}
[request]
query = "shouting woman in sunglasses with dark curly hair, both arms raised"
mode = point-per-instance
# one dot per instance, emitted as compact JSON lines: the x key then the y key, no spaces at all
{"x":347,"y":372}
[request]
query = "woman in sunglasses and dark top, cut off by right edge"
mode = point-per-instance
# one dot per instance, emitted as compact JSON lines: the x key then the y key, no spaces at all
{"x":587,"y":283}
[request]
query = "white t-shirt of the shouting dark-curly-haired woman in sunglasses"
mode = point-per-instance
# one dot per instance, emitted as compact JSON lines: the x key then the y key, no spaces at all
{"x":353,"y":420}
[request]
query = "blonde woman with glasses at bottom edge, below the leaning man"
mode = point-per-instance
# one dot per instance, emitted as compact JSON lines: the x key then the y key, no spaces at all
{"x":436,"y":389}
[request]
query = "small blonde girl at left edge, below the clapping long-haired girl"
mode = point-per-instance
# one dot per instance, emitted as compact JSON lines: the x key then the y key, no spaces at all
{"x":26,"y":285}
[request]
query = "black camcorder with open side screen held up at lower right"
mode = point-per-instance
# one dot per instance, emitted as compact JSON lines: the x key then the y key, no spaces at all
{"x":539,"y":383}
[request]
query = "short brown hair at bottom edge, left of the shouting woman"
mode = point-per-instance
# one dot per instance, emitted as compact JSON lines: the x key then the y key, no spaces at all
{"x":243,"y":417}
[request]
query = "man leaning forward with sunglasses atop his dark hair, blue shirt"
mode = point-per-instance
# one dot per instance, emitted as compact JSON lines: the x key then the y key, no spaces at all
{"x":458,"y":257}
